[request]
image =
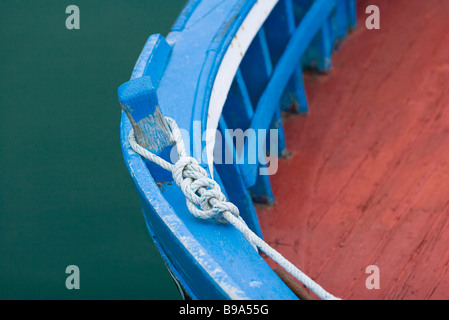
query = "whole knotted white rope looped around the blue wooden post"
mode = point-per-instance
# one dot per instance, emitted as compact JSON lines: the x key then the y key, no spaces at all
{"x":206,"y":201}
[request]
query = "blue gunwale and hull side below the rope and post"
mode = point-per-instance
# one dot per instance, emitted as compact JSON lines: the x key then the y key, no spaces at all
{"x":211,"y":260}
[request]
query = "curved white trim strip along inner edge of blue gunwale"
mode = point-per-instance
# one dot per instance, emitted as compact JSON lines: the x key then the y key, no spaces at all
{"x":228,"y":68}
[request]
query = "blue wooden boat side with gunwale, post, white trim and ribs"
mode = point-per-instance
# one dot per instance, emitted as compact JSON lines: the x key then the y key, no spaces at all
{"x":224,"y":65}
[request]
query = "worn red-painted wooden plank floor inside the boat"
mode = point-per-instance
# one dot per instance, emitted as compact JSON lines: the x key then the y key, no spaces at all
{"x":367,"y":182}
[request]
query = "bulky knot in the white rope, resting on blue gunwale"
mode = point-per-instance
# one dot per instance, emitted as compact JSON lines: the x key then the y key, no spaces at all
{"x":204,"y":197}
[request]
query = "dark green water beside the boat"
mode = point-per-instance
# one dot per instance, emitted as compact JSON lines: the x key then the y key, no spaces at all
{"x":65,"y":194}
